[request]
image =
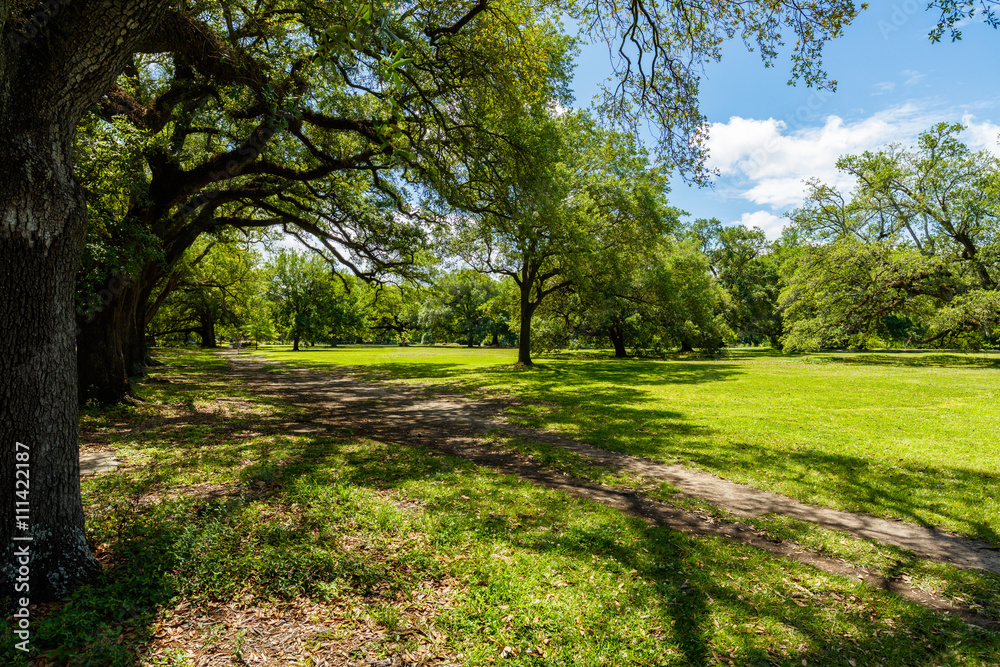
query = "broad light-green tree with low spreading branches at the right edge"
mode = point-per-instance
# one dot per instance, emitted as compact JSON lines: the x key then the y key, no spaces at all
{"x":912,"y":255}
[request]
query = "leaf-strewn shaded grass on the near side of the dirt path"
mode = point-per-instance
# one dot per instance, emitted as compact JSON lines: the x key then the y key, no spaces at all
{"x":230,"y":501}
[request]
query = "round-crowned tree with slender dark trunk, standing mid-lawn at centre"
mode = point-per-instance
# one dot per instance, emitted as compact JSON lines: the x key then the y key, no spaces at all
{"x":573,"y":201}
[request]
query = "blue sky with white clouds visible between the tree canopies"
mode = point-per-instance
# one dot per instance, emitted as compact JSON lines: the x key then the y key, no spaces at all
{"x":768,"y":137}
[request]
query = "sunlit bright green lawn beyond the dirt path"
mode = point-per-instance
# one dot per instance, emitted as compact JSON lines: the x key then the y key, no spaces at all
{"x":914,"y":436}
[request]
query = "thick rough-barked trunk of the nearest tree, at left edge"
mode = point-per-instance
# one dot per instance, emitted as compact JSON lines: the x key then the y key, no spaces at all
{"x":47,"y":81}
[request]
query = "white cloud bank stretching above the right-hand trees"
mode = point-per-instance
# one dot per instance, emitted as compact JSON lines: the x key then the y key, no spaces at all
{"x":767,"y":161}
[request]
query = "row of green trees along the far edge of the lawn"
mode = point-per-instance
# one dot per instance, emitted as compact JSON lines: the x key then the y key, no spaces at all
{"x":584,"y":251}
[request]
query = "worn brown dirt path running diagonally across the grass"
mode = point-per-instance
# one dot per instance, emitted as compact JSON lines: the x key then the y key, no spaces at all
{"x":414,"y":416}
